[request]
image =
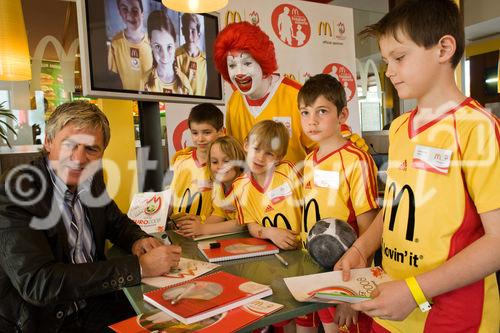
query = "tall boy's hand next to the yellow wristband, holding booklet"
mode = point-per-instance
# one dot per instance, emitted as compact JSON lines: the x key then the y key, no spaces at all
{"x":391,"y":301}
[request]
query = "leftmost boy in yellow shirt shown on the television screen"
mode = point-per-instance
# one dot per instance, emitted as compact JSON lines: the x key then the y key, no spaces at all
{"x":130,"y":54}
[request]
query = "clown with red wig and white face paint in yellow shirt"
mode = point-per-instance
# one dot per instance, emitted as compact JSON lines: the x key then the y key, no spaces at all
{"x":245,"y":57}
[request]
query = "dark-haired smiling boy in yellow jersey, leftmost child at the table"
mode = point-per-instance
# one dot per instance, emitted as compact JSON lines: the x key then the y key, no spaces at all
{"x":192,"y":184}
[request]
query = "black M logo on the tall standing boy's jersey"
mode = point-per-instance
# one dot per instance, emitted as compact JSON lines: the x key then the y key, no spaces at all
{"x":396,"y":199}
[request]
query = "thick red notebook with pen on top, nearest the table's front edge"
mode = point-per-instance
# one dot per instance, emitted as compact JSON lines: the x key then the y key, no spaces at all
{"x":206,"y":296}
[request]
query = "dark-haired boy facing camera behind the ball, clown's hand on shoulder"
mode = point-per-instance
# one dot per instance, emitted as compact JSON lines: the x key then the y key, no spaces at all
{"x":339,"y":178}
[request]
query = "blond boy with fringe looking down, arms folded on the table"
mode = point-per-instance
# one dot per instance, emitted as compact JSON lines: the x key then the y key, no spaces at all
{"x":268,"y":196}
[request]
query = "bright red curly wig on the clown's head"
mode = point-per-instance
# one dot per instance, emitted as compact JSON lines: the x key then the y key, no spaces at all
{"x":247,"y":37}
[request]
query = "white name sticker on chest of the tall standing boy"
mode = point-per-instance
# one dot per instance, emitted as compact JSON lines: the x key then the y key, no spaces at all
{"x":432,"y":159}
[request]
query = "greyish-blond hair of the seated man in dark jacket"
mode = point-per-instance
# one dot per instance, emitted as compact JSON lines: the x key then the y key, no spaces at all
{"x":81,"y":114}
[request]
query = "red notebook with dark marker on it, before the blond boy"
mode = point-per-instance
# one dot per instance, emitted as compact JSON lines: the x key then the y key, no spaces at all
{"x":236,"y":248}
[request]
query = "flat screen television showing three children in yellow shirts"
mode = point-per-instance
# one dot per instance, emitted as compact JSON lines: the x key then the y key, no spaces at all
{"x":140,"y":50}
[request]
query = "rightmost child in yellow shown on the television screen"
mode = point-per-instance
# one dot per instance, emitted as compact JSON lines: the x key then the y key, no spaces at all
{"x":191,"y":60}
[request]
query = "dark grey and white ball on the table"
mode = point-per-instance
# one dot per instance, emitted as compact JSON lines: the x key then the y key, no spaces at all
{"x":328,"y":239}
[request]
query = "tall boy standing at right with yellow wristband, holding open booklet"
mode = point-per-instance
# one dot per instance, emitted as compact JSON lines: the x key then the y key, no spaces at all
{"x":439,"y":228}
